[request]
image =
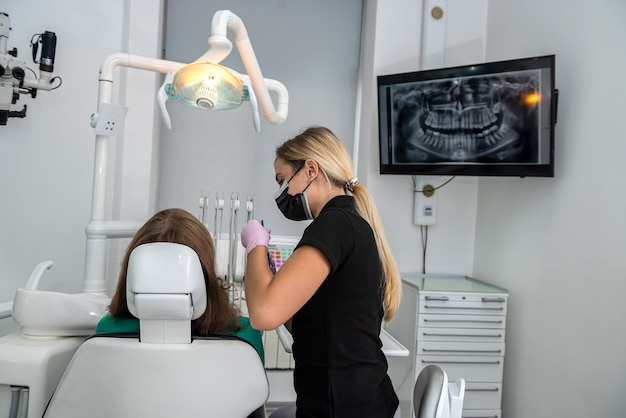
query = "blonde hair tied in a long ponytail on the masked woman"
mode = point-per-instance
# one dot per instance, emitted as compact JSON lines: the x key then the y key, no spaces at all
{"x":322,"y":145}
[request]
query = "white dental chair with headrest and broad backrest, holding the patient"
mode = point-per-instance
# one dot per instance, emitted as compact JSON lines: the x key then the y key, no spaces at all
{"x":163,"y":371}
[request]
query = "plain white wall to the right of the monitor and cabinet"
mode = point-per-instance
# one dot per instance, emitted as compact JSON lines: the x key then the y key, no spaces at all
{"x":557,"y":244}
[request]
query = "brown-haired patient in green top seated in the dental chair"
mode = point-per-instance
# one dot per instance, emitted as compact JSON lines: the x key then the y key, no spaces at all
{"x":220,"y":318}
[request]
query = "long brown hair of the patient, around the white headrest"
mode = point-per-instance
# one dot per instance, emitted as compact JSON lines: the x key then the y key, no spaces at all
{"x":180,"y":227}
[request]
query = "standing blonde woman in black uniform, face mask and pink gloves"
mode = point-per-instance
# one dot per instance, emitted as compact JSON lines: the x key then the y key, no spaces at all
{"x":336,"y":288}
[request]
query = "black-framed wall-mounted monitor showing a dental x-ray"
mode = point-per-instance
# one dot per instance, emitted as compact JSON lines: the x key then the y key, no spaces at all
{"x":488,"y":119}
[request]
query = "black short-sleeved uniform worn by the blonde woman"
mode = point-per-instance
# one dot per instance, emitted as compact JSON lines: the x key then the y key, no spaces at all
{"x":340,"y":369}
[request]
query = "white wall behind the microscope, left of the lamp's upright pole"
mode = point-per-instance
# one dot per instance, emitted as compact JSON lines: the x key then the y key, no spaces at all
{"x":47,"y":158}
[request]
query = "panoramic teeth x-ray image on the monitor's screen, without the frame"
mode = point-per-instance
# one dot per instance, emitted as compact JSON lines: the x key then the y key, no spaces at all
{"x":477,"y":119}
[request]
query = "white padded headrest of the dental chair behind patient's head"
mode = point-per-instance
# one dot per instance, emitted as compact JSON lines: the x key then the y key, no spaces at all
{"x":165,"y":282}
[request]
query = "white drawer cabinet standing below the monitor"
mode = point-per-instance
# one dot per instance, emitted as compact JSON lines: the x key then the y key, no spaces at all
{"x":458,"y":323}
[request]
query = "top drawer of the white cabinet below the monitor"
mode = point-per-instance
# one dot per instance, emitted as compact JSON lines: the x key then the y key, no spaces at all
{"x":463,"y":304}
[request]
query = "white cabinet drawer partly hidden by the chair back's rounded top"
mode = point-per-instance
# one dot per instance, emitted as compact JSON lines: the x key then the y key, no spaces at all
{"x":470,"y":368}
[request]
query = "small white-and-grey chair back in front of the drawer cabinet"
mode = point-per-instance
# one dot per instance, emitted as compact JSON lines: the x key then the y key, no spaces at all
{"x":435,"y":397}
